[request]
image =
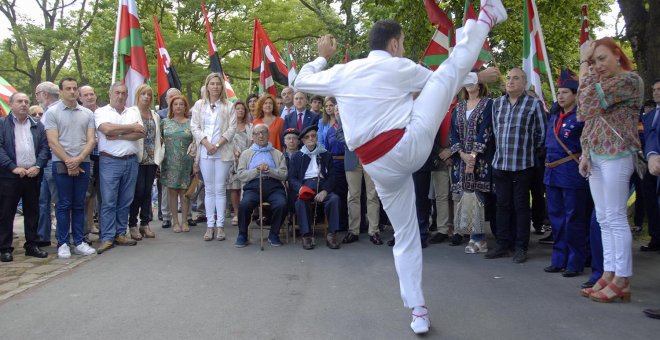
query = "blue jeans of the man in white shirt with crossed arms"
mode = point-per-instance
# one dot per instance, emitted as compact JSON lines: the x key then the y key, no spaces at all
{"x":118,"y":177}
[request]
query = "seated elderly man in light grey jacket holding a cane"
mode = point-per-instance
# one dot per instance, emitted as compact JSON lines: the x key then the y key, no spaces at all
{"x":261,"y":159}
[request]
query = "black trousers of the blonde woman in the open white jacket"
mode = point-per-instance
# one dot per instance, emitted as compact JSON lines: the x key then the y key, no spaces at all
{"x":142,"y":200}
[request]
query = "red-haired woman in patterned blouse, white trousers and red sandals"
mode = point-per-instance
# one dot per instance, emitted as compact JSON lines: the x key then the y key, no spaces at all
{"x":609,"y":101}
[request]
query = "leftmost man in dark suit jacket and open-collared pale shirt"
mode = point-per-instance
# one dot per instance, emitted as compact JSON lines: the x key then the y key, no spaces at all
{"x":23,"y":153}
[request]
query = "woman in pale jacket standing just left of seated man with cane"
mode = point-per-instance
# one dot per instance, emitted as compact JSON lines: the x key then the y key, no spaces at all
{"x":242,"y":141}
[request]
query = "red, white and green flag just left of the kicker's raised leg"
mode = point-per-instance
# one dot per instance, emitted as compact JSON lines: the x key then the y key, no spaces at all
{"x":443,"y":39}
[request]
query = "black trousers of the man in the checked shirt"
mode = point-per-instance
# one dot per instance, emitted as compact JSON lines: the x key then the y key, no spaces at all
{"x":512,"y":195}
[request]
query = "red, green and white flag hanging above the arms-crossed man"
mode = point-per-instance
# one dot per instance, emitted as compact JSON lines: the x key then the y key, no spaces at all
{"x":133,"y":67}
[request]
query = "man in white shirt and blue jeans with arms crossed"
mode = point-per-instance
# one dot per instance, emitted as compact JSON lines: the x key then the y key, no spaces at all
{"x":119,"y":130}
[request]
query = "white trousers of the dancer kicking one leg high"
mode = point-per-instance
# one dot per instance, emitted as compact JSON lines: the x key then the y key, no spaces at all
{"x":392,"y":173}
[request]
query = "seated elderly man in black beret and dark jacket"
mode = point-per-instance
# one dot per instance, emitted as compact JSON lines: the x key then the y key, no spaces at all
{"x":310,"y":177}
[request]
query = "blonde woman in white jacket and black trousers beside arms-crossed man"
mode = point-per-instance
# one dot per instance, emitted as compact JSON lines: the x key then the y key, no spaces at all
{"x":151,"y":155}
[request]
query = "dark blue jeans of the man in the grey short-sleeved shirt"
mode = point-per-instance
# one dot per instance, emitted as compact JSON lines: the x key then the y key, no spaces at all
{"x":70,"y":211}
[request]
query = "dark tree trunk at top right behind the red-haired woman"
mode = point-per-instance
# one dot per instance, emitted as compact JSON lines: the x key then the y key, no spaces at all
{"x":641,"y":18}
